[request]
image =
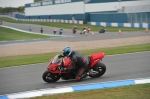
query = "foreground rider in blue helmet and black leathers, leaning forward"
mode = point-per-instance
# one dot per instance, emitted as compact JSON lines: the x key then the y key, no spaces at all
{"x":77,"y":59}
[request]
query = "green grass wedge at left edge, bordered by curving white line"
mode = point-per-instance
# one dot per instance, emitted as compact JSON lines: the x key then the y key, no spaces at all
{"x":9,"y":34}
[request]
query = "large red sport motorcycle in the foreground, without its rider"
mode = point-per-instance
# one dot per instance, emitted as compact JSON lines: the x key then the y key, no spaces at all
{"x":53,"y":73}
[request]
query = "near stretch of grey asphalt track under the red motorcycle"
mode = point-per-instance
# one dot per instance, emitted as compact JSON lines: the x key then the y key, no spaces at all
{"x":119,"y":67}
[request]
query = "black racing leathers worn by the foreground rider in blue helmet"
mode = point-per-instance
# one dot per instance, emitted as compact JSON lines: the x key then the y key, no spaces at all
{"x":78,"y":60}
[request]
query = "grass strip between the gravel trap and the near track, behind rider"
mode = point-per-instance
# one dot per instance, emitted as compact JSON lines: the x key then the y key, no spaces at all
{"x":40,"y":58}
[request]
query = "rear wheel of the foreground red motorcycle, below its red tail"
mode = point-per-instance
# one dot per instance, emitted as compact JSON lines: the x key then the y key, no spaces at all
{"x":98,"y":70}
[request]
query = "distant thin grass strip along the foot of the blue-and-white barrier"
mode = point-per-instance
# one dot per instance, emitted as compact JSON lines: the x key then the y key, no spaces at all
{"x":79,"y":26}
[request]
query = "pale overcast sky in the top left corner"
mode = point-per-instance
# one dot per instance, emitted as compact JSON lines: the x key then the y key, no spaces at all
{"x":14,"y":3}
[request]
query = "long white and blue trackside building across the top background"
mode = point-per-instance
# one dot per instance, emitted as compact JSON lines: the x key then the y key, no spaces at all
{"x":121,"y":11}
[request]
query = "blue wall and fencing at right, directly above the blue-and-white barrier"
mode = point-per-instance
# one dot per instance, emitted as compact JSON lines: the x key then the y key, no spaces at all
{"x":143,"y":17}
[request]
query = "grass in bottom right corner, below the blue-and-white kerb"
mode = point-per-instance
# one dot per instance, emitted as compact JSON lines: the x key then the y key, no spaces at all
{"x":127,"y":92}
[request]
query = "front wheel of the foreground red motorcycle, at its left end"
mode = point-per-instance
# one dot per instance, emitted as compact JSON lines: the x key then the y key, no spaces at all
{"x":49,"y":77}
